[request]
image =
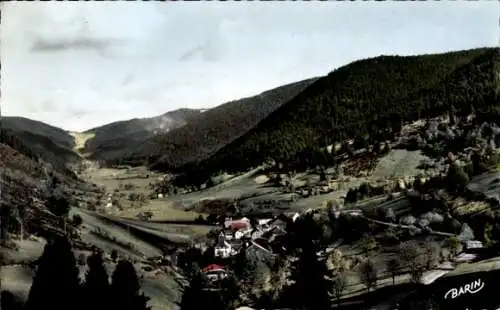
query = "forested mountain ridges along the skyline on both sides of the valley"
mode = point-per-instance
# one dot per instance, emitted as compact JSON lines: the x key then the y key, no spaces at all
{"x":363,"y":99}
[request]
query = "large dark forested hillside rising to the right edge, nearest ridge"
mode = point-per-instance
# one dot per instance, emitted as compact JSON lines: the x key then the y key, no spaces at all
{"x":363,"y":99}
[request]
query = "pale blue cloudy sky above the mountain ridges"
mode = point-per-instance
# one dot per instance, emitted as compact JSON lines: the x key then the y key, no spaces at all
{"x":78,"y":65}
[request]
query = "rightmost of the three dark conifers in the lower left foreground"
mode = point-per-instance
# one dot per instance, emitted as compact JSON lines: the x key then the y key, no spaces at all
{"x":125,"y":288}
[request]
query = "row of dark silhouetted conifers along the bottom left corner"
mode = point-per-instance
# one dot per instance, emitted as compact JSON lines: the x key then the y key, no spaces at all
{"x":57,"y":284}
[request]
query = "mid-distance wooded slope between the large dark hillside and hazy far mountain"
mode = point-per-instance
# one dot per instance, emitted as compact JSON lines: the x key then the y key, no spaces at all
{"x":213,"y":129}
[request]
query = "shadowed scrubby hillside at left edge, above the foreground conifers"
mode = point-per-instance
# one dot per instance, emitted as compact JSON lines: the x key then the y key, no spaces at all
{"x":30,"y":179}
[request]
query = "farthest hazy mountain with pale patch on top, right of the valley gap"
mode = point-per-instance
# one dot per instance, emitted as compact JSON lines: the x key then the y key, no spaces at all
{"x":112,"y":139}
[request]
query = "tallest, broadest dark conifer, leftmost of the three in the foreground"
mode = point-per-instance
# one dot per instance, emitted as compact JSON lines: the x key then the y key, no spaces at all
{"x":56,"y":283}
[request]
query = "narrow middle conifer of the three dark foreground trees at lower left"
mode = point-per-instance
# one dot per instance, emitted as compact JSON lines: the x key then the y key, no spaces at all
{"x":96,"y":287}
